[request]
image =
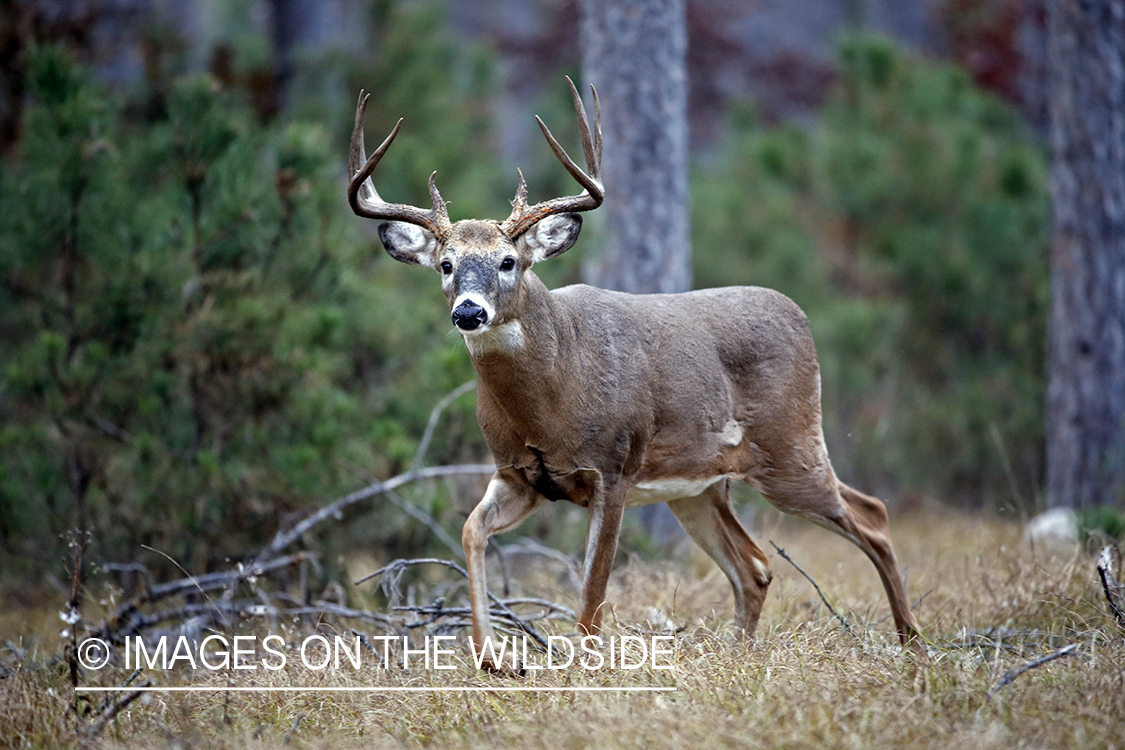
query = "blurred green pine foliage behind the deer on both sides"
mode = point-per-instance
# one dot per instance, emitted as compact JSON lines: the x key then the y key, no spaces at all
{"x":201,"y":342}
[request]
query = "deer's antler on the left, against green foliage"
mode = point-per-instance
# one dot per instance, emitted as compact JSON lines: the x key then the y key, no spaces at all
{"x":365,"y":200}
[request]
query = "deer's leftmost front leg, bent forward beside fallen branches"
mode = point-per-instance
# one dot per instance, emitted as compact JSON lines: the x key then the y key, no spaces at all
{"x":506,"y":505}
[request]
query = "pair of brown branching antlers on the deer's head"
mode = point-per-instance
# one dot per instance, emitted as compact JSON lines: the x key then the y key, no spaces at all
{"x":366,"y":202}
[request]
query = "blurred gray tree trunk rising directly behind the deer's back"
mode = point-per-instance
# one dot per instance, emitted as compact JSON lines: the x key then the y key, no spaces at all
{"x":635,"y":53}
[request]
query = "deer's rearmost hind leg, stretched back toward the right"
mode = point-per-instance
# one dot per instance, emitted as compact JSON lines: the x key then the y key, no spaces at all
{"x":814,"y":493}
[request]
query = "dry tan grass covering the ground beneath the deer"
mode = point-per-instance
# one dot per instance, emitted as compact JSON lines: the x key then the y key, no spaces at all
{"x":803,"y":682}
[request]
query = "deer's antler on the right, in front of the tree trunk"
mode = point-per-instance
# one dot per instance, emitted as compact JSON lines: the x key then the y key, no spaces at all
{"x":523,"y":219}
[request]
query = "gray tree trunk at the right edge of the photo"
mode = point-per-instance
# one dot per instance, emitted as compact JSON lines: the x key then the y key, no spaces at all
{"x":1086,"y":399}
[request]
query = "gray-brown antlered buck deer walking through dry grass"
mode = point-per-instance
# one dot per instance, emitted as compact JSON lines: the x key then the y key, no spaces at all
{"x":613,"y":401}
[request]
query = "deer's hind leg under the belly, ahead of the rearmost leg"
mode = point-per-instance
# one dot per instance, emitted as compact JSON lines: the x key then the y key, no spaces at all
{"x":710,"y":521}
